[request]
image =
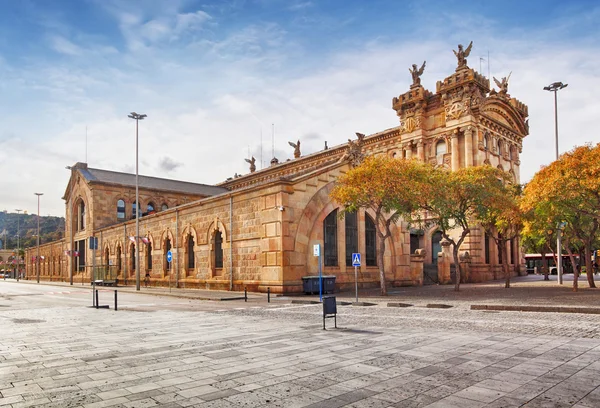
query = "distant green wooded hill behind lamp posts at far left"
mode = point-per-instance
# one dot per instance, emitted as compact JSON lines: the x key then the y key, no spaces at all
{"x":51,"y":229}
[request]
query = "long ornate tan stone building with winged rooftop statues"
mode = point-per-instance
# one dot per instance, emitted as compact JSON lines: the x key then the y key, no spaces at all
{"x":257,"y":230}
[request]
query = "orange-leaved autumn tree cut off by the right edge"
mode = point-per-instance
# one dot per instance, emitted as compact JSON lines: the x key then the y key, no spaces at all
{"x":568,"y":190}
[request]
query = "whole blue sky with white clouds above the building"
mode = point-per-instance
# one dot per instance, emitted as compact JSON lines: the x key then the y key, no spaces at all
{"x":220,"y":79}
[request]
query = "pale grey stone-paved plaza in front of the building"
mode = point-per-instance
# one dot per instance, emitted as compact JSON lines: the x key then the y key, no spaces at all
{"x":172,"y":349}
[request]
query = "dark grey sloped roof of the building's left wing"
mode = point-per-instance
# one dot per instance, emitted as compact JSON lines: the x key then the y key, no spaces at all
{"x":151,"y":183}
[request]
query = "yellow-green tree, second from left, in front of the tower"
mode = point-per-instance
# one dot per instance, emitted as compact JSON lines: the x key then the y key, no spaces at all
{"x":456,"y":201}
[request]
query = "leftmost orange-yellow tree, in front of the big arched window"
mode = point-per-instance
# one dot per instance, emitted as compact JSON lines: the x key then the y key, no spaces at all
{"x":387,"y":187}
